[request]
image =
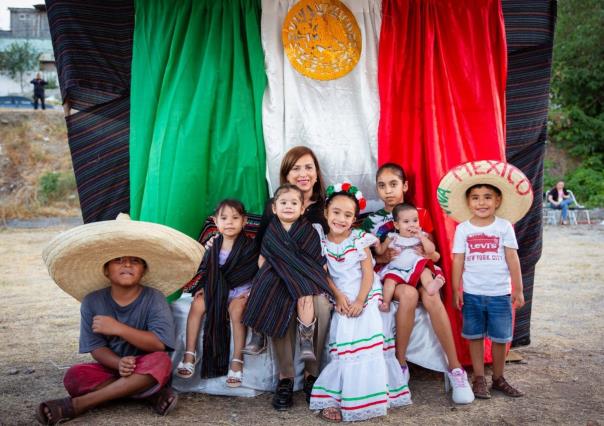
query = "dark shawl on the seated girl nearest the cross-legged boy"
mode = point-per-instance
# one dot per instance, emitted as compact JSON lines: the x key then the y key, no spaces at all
{"x":239,"y":268}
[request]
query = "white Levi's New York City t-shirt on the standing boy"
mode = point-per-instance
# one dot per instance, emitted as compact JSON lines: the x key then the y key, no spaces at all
{"x":485,"y":270}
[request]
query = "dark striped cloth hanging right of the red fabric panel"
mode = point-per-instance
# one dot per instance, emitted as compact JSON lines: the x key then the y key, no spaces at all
{"x":529,"y":33}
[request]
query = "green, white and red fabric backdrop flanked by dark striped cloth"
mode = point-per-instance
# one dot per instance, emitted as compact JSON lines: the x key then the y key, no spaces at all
{"x":175,"y":106}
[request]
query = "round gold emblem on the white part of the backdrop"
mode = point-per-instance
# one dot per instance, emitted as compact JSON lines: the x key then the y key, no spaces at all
{"x":321,"y":39}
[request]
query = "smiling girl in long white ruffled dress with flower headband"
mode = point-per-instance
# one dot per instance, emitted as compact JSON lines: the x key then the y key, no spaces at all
{"x":363,"y":378}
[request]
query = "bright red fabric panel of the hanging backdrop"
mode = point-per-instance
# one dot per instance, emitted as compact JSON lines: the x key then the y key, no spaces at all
{"x":442,"y":74}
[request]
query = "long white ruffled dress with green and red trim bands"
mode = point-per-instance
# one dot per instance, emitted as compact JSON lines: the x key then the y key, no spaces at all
{"x":363,"y":377}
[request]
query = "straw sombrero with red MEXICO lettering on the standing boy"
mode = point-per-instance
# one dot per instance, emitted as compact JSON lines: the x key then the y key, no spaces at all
{"x":516,"y":190}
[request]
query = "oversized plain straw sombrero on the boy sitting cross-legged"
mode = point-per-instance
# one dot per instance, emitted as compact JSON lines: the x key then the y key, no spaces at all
{"x":75,"y":258}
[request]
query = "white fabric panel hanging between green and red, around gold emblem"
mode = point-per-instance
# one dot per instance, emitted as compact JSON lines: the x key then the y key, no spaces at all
{"x":337,"y":119}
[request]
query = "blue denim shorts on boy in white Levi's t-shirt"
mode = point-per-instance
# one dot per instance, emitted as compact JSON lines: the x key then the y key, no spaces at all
{"x":487,"y":316}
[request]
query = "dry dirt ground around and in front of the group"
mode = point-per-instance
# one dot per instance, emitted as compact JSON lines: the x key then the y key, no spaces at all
{"x":561,"y":372}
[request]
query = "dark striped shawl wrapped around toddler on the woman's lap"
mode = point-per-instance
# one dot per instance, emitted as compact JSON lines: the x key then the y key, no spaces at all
{"x":293,"y":268}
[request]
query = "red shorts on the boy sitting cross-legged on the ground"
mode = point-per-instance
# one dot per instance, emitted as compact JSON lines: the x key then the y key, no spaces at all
{"x":81,"y":379}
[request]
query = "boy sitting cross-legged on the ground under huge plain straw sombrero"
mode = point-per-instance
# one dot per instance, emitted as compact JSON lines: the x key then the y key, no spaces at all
{"x":121,"y":271}
